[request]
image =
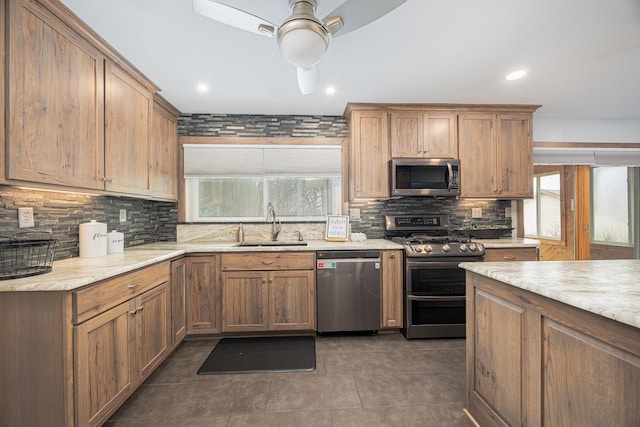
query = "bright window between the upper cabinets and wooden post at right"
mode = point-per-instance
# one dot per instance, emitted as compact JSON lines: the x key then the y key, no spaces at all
{"x":543,"y":214}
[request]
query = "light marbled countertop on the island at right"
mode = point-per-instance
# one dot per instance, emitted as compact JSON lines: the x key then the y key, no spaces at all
{"x":608,"y":288}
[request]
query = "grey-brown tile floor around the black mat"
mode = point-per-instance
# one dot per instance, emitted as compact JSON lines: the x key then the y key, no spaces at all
{"x":380,"y":380}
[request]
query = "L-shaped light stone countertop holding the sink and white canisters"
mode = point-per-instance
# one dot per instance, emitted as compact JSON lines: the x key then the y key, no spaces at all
{"x":73,"y":273}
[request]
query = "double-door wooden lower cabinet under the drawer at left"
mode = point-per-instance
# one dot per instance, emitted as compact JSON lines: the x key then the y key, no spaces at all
{"x":116,"y":350}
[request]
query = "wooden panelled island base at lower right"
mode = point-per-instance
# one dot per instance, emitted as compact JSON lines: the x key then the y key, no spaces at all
{"x":533,"y":361}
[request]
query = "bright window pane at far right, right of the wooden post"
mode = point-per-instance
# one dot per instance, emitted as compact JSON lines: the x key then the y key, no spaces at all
{"x":610,"y":205}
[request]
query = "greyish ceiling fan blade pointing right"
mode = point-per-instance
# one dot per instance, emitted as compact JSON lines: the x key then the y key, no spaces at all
{"x":358,"y":13}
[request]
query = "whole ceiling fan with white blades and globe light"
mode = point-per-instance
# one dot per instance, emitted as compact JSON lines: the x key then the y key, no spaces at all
{"x":302,"y":38}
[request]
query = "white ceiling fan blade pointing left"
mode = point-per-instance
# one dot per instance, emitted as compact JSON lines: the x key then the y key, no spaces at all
{"x":234,"y":17}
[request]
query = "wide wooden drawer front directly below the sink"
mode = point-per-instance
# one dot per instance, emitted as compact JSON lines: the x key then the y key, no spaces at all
{"x":268,"y":261}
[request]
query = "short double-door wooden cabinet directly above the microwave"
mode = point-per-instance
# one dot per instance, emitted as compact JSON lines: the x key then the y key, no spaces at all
{"x":422,"y":134}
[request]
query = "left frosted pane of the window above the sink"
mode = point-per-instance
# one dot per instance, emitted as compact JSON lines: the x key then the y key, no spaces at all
{"x":230,"y":197}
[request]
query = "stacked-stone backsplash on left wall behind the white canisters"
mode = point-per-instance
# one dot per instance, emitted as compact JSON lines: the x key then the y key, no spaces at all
{"x":62,"y":213}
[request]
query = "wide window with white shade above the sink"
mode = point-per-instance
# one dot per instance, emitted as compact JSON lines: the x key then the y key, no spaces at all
{"x":235,"y":183}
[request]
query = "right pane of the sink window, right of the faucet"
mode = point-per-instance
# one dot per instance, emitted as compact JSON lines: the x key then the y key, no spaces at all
{"x":304,"y":197}
